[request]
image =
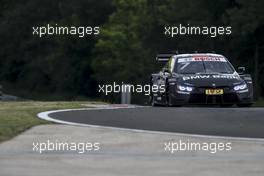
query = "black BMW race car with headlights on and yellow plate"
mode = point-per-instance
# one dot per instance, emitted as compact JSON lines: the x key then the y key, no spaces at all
{"x":200,"y":78}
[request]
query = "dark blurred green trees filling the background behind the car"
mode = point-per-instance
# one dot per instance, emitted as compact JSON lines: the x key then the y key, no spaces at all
{"x":131,"y":34}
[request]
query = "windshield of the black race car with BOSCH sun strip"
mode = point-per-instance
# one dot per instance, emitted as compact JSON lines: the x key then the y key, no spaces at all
{"x":196,"y":65}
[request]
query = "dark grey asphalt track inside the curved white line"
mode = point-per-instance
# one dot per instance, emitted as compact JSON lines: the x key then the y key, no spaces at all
{"x":233,"y":122}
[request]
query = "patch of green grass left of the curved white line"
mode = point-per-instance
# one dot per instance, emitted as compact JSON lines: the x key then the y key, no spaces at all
{"x":16,"y":117}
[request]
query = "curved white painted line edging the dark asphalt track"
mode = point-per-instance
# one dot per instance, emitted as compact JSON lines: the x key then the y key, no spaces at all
{"x":45,"y":116}
